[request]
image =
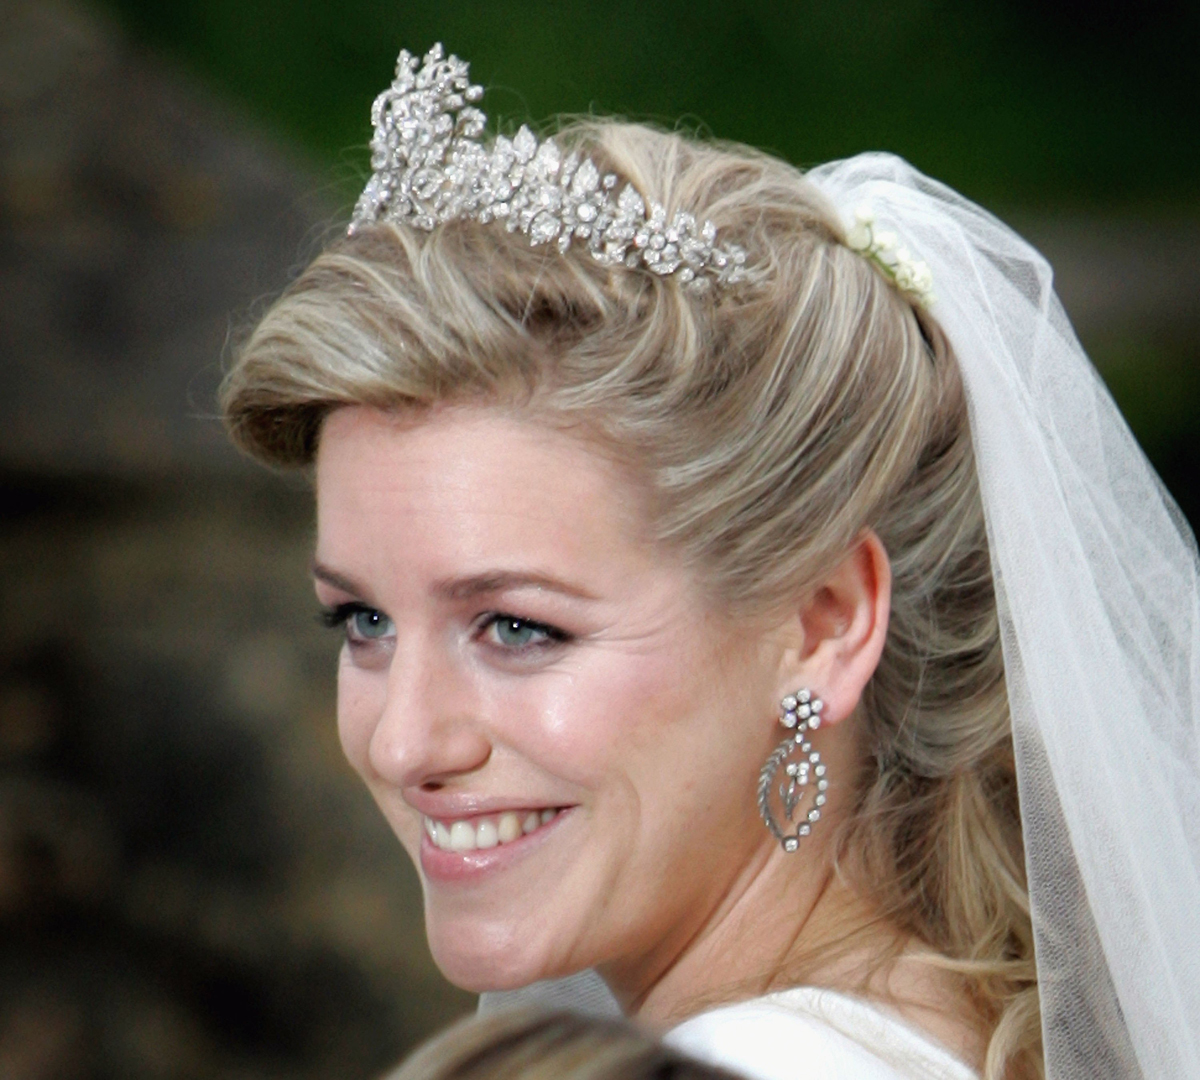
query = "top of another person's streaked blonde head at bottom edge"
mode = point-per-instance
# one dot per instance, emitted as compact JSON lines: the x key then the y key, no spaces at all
{"x":537,"y":1046}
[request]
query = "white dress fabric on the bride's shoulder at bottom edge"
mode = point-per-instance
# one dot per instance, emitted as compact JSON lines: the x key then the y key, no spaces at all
{"x":807,"y":1033}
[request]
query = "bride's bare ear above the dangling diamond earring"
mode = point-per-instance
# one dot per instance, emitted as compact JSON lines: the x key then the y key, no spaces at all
{"x":839,"y":631}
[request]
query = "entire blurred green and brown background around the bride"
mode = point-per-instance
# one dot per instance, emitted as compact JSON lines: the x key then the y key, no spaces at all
{"x":193,"y":884}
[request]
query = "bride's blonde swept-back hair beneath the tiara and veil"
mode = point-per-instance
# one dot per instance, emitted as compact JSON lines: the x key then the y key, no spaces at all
{"x":772,"y":423}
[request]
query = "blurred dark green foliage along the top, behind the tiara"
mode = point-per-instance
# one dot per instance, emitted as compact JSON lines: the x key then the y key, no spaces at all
{"x":1019,"y":104}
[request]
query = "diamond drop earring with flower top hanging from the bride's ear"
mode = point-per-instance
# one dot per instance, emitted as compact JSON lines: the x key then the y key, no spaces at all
{"x":801,"y":715}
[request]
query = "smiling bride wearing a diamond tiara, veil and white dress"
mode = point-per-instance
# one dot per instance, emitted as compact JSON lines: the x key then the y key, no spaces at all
{"x":727,"y":585}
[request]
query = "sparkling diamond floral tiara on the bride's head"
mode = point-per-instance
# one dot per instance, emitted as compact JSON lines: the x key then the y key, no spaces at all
{"x":430,"y":169}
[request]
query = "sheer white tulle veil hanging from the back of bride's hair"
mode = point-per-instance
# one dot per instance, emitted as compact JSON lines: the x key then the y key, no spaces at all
{"x":1097,"y":586}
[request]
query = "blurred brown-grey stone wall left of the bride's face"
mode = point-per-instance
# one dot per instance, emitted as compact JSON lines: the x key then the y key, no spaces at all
{"x":193,"y":883}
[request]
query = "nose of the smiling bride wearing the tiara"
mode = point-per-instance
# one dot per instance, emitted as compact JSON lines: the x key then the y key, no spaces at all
{"x":429,"y":730}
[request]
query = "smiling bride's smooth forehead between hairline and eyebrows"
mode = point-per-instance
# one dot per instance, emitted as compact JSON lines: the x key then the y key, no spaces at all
{"x":458,"y":489}
